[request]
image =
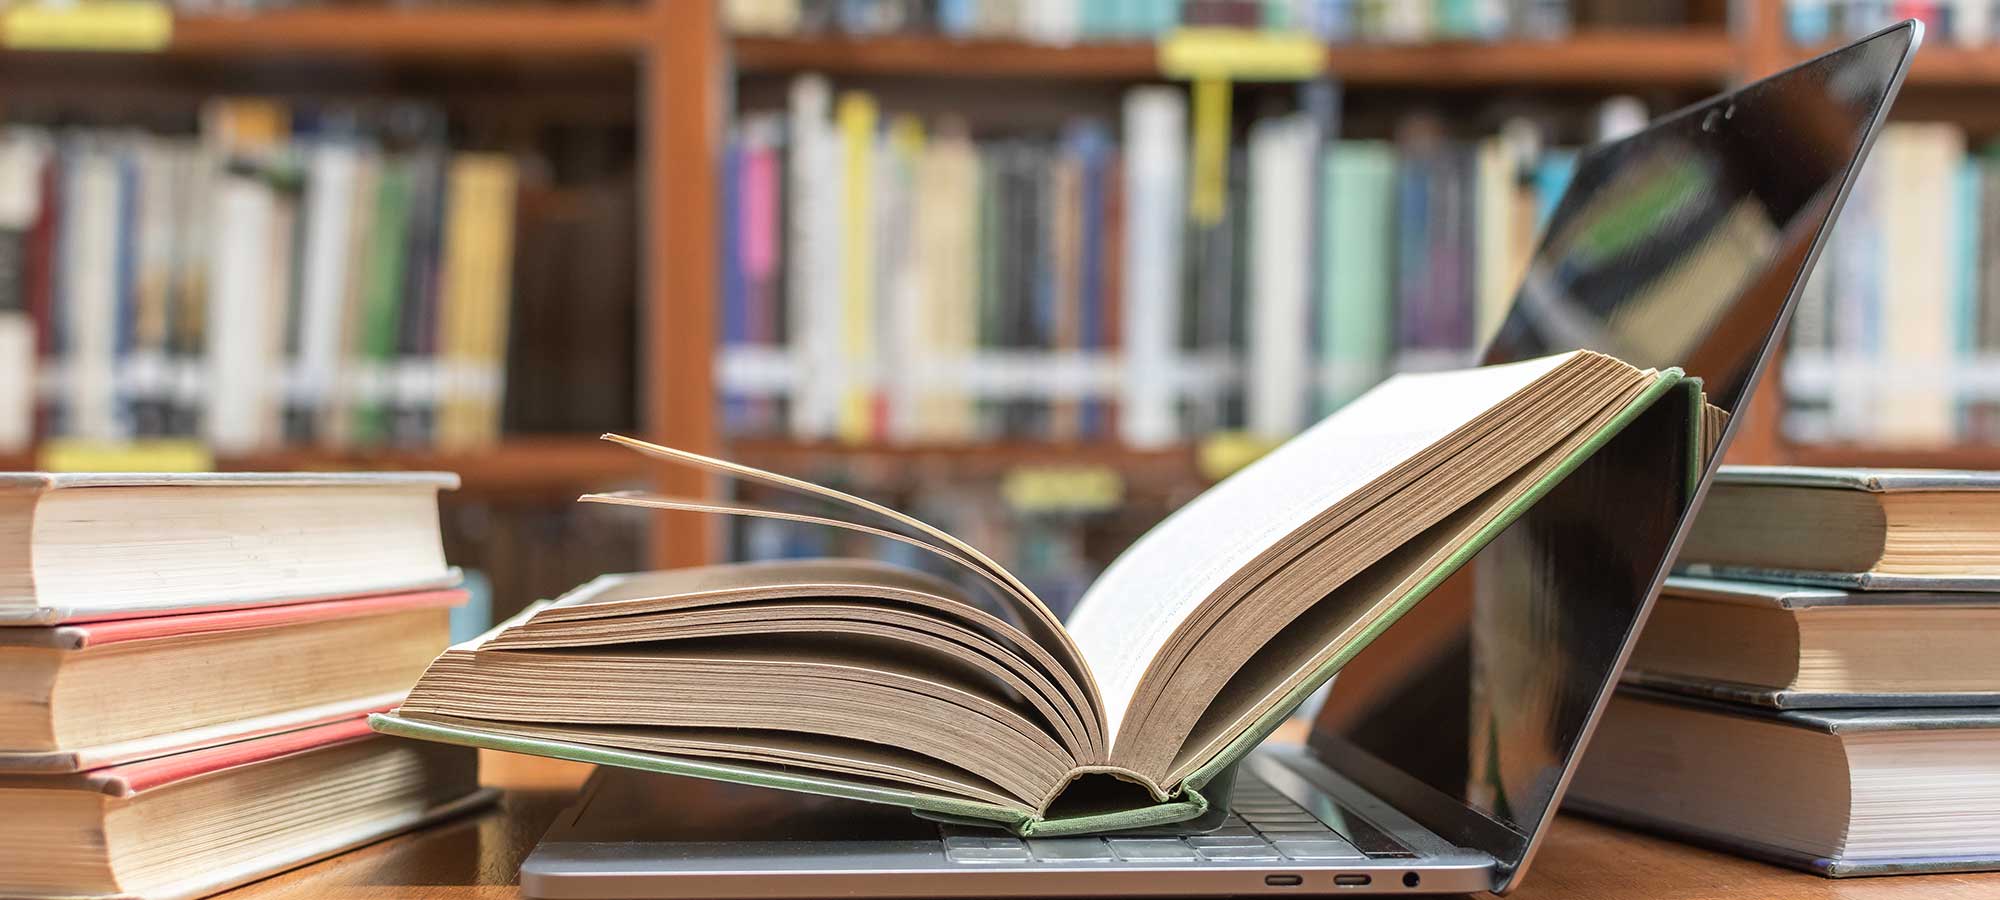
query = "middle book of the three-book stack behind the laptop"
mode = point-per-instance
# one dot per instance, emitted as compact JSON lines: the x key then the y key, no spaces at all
{"x":1797,"y":647}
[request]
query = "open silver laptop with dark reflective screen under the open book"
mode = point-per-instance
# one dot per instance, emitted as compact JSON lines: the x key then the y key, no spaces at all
{"x":1443,"y":751}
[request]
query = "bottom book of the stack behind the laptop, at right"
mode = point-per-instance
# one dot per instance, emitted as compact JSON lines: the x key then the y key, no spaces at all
{"x":1841,"y":793}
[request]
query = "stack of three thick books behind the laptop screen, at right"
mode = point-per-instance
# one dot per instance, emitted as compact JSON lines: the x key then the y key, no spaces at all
{"x":1821,"y":687}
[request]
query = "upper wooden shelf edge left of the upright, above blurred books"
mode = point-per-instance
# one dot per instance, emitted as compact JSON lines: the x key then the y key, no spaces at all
{"x":505,"y":31}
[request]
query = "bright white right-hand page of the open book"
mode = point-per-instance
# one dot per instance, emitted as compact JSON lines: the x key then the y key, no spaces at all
{"x":1137,"y":605}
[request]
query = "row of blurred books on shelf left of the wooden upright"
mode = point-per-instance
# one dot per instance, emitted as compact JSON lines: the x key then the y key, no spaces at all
{"x":277,"y":279}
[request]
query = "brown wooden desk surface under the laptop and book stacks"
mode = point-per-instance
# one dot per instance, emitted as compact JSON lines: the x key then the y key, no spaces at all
{"x":477,"y":857}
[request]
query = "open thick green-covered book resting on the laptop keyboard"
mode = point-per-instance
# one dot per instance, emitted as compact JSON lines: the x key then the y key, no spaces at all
{"x":965,"y":697}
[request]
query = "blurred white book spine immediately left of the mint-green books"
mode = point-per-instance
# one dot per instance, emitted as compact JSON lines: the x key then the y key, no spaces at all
{"x":1281,"y":155}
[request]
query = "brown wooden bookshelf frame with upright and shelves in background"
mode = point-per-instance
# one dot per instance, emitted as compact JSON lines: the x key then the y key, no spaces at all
{"x":685,"y":77}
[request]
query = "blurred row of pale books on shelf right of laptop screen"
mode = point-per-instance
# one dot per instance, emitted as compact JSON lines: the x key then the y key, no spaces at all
{"x":1901,"y":319}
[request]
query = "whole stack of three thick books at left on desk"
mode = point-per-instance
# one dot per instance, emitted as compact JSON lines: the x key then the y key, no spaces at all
{"x":187,"y":665}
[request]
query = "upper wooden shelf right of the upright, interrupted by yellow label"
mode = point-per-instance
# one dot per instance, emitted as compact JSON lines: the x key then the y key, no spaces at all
{"x":1663,"y":57}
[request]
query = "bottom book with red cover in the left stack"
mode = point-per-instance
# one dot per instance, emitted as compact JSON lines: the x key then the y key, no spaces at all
{"x":199,"y":823}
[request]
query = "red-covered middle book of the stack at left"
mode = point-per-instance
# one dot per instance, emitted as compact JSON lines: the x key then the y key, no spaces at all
{"x":105,"y":693}
